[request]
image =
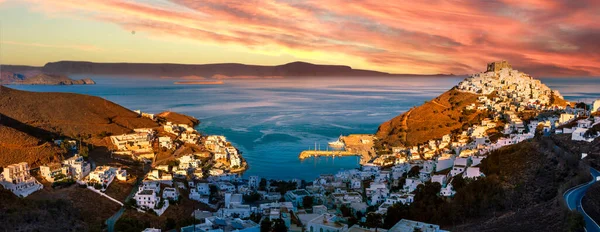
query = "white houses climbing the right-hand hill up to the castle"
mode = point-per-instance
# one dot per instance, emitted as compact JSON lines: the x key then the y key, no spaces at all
{"x":459,"y":154}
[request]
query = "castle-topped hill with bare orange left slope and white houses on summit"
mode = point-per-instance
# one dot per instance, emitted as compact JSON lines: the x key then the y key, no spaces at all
{"x":448,"y":112}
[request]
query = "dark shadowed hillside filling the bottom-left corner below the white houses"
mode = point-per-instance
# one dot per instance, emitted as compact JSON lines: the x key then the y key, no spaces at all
{"x":68,"y":209}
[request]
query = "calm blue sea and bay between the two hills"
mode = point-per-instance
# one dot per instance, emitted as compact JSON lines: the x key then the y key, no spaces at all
{"x":272,"y":121}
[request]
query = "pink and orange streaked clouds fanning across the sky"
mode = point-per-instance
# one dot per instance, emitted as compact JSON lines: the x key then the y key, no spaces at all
{"x":540,"y":37}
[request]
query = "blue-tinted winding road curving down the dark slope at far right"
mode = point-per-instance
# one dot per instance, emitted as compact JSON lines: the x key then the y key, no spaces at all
{"x":573,"y":198}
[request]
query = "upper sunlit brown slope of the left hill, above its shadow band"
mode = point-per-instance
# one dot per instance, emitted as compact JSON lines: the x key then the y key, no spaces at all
{"x":69,"y":114}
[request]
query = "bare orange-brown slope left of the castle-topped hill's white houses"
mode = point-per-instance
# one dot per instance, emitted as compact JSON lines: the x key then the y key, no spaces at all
{"x":432,"y":120}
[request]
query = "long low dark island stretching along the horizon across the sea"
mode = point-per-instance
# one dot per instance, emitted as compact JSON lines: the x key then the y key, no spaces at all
{"x":294,"y":69}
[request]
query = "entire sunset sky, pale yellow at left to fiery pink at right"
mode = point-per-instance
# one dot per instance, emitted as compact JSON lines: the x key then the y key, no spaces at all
{"x":543,"y":38}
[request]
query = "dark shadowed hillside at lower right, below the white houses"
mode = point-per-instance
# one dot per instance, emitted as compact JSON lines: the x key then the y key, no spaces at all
{"x":522,"y":191}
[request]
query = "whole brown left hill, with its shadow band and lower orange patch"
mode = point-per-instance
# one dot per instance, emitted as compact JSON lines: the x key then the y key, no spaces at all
{"x":30,"y":120}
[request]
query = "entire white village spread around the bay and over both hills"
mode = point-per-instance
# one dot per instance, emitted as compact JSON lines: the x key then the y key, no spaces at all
{"x":182,"y":164}
